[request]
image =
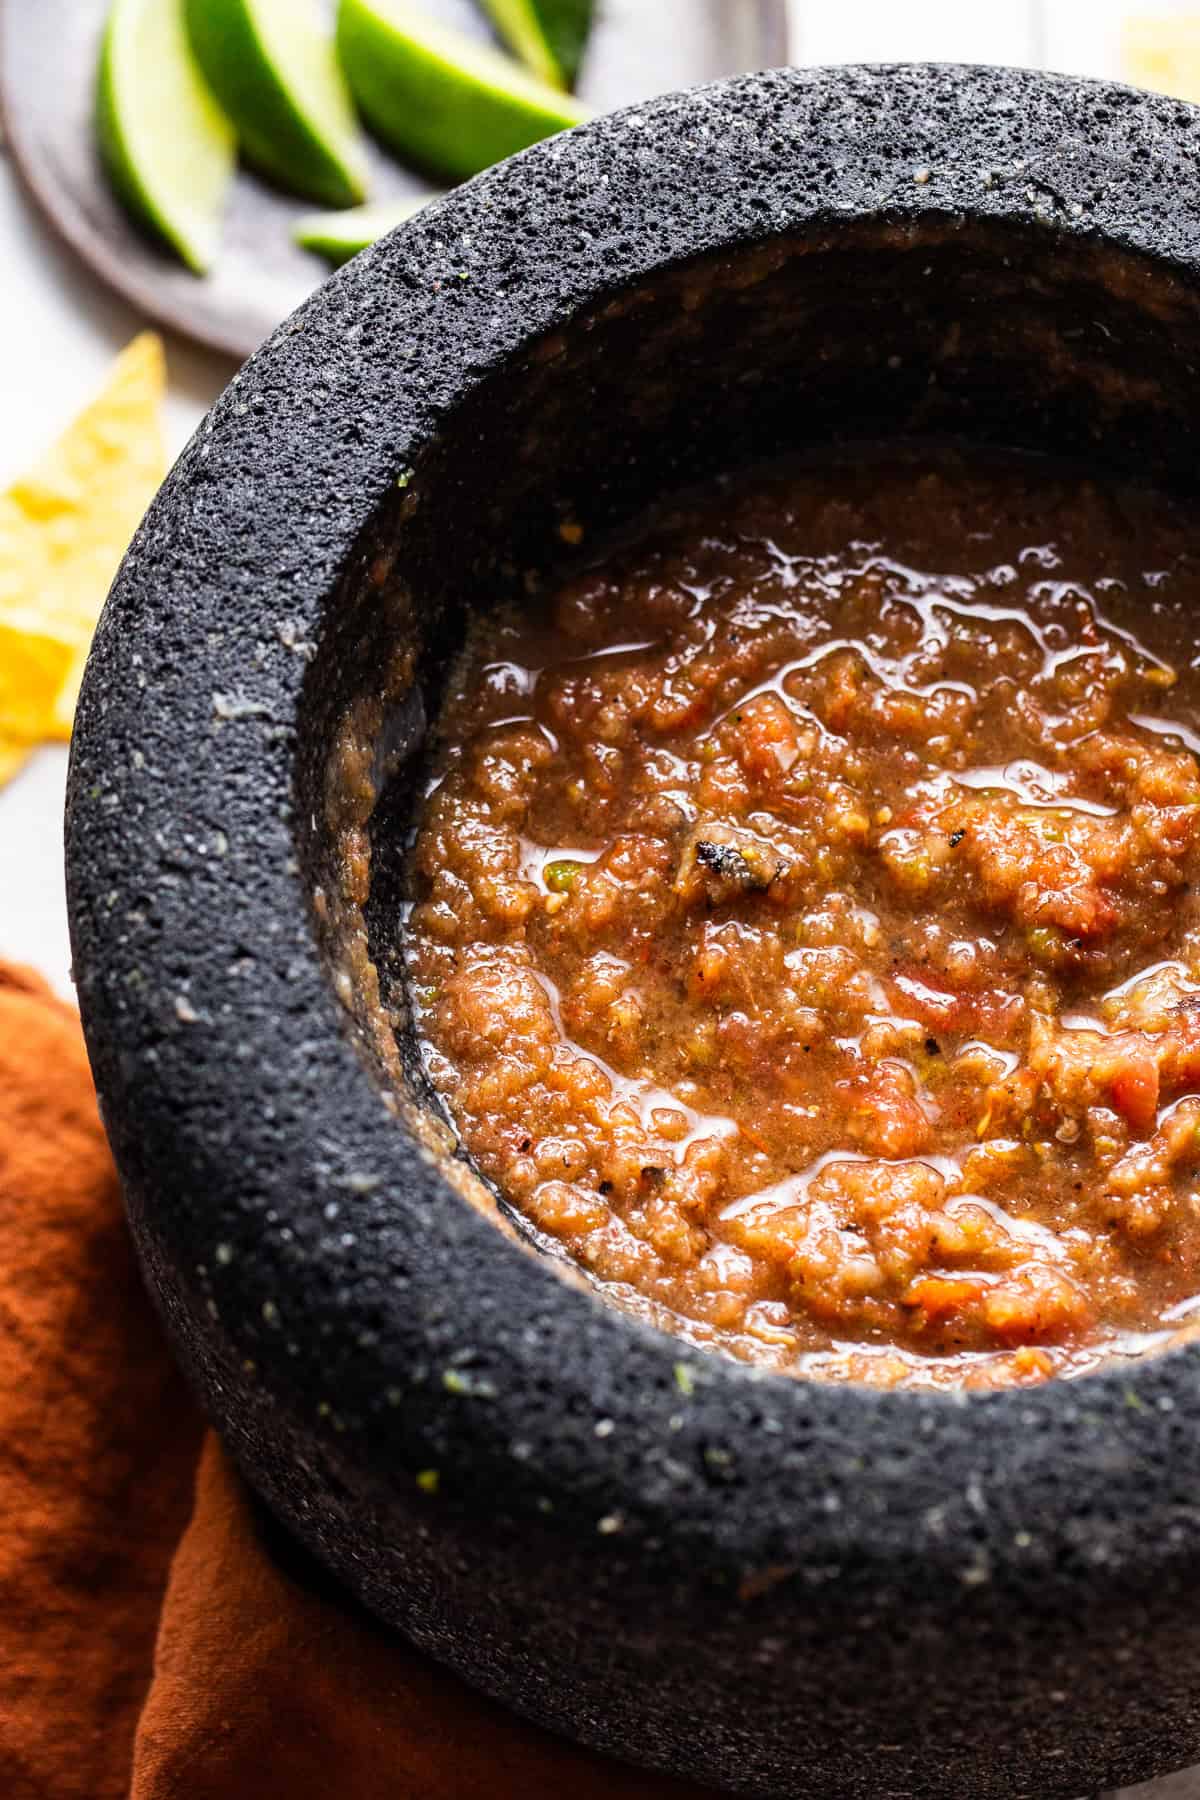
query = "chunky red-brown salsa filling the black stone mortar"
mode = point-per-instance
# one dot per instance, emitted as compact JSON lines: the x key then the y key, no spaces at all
{"x":807,"y":930}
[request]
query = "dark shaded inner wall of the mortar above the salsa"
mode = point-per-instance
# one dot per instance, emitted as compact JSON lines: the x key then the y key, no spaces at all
{"x":972,"y":330}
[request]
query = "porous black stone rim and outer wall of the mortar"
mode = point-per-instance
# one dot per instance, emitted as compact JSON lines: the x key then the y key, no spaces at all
{"x":780,"y":1588}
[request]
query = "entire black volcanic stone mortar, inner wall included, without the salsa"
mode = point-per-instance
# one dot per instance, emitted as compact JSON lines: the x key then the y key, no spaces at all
{"x":780,"y":1588}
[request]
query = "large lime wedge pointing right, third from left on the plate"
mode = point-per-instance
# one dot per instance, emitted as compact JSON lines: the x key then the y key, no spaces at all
{"x":438,"y":94}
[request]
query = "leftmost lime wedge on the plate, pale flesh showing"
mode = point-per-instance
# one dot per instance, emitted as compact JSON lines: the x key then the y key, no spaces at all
{"x":166,"y":143}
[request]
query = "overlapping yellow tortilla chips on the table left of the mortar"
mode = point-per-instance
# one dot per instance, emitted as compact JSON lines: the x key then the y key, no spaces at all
{"x":67,"y":525}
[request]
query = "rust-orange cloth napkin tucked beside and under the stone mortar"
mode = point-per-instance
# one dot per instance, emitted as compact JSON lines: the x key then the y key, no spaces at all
{"x":152,"y":1644}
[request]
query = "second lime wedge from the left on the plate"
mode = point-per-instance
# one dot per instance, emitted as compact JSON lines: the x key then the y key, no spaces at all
{"x":274,"y":71}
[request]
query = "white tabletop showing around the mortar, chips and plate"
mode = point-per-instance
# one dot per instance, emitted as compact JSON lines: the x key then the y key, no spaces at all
{"x":60,"y":330}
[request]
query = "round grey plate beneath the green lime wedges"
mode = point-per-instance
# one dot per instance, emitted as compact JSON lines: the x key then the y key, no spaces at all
{"x":48,"y":71}
